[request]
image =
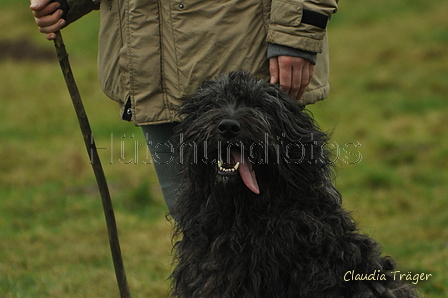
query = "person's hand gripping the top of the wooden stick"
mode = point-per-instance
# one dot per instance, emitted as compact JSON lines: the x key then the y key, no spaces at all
{"x":48,"y":17}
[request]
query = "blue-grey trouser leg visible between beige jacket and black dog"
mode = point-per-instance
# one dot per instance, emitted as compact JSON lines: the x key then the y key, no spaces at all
{"x":163,"y":153}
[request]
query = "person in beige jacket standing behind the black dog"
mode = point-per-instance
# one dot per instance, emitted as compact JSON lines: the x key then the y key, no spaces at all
{"x":153,"y":53}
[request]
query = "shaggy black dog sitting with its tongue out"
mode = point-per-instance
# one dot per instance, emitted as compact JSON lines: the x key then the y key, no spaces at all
{"x":257,"y":212}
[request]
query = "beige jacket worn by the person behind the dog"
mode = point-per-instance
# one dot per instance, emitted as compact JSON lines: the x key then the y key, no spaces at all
{"x":152,"y":53}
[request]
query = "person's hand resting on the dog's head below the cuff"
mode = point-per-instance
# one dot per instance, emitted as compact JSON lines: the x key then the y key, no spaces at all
{"x":292,"y":73}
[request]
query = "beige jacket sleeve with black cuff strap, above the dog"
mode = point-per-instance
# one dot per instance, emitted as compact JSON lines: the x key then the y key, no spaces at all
{"x":300,"y":24}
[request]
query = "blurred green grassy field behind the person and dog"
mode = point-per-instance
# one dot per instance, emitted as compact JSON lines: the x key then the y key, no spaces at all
{"x":388,"y":110}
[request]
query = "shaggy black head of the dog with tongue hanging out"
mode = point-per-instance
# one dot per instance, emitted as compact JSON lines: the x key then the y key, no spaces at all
{"x":243,"y":134}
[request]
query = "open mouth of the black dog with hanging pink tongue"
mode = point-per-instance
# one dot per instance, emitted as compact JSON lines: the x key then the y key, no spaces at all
{"x":233,"y":162}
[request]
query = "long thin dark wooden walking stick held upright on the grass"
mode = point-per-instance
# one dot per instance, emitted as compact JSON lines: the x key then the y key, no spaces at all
{"x":96,"y":165}
